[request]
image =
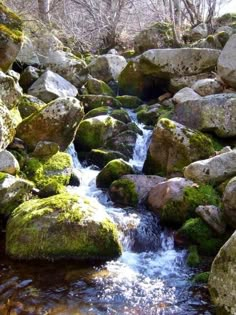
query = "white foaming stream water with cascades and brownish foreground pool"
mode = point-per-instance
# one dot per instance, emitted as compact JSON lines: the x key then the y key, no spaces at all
{"x":151,"y":276}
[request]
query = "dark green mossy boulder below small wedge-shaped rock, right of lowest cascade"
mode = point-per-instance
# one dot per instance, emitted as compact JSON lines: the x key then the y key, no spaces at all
{"x":197,"y":232}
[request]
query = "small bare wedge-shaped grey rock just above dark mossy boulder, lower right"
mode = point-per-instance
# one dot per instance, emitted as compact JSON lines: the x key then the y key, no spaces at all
{"x":213,"y":216}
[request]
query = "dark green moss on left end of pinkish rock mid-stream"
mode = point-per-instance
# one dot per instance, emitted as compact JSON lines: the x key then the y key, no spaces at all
{"x":123,"y":191}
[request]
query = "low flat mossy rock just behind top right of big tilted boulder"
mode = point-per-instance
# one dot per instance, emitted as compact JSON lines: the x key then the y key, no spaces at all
{"x":94,"y":101}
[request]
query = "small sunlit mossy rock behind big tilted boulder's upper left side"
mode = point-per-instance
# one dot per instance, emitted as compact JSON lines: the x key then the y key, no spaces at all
{"x":29,"y":105}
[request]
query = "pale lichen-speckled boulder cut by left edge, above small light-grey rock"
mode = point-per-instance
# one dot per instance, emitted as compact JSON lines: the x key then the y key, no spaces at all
{"x":7,"y":130}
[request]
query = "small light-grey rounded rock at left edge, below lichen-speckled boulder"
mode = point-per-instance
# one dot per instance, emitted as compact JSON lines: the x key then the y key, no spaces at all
{"x":8,"y":163}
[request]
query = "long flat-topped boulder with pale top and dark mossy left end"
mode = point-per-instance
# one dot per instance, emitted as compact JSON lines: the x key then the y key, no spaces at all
{"x":156,"y":67}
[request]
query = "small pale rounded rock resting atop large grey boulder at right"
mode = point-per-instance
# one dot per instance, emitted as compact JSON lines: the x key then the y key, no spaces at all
{"x":207,"y":87}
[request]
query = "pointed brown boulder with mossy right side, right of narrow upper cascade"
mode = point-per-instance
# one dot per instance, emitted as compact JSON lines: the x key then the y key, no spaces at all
{"x":173,"y":146}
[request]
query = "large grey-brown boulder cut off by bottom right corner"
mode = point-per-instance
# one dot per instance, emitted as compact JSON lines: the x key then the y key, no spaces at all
{"x":223,"y":278}
